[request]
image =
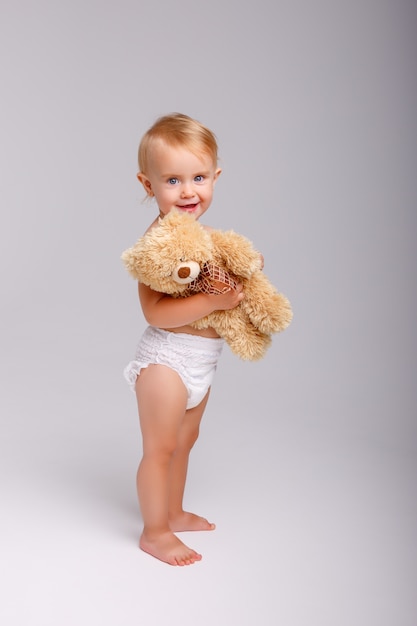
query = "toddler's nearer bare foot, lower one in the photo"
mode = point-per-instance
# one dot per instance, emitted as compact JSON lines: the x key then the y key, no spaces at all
{"x":168,"y":548}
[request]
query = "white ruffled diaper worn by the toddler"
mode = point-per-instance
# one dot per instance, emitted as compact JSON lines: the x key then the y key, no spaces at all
{"x":193,"y":357}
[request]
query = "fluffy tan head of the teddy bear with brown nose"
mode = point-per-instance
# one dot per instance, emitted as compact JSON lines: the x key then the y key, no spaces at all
{"x":170,"y":256}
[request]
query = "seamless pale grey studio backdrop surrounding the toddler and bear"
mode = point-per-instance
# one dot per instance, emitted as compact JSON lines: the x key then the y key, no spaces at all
{"x":313,"y":104}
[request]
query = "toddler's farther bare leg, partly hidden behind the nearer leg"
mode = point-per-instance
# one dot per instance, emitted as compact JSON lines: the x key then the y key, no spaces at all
{"x":180,"y":520}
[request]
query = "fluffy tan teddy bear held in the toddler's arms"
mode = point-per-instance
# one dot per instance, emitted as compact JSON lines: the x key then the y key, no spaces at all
{"x":180,"y":257}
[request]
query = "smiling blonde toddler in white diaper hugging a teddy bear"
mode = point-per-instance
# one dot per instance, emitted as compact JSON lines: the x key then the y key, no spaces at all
{"x":174,"y":363}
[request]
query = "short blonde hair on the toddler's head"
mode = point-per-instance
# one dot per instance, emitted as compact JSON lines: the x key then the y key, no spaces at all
{"x":177,"y":129}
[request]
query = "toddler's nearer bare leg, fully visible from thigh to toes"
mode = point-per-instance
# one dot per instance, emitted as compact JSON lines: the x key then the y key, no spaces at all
{"x":162,"y":399}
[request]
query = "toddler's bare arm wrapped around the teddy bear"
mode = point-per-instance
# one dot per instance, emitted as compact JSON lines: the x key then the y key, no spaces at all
{"x":166,"y":312}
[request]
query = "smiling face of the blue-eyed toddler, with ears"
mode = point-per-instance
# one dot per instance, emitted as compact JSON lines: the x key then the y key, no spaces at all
{"x":179,"y":179}
